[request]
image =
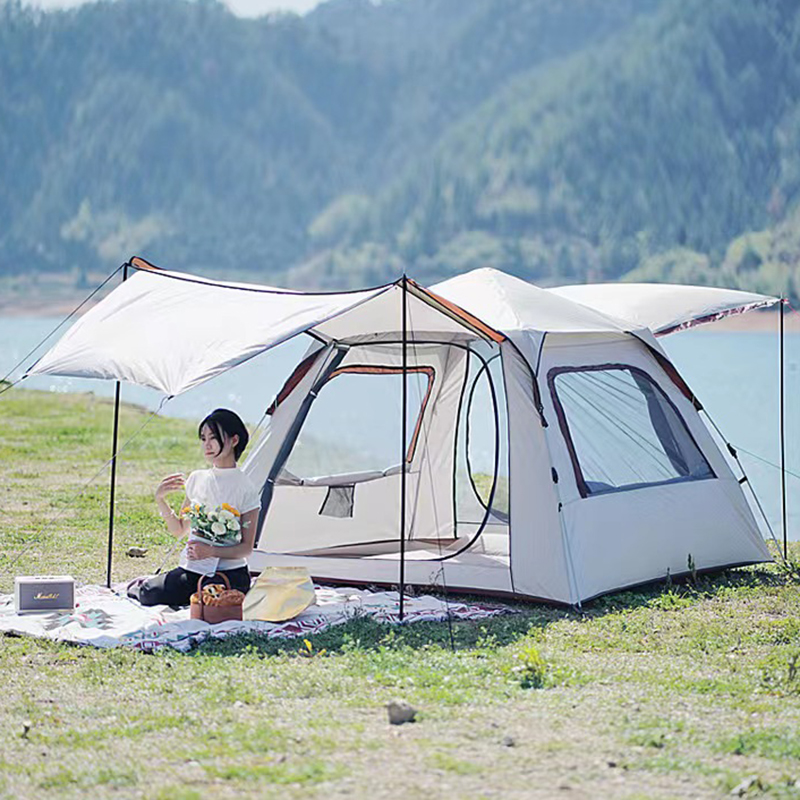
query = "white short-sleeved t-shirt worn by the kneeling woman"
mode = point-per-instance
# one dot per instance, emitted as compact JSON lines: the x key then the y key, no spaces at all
{"x":213,"y":487}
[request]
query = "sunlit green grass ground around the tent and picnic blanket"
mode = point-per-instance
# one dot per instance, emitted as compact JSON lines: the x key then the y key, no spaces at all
{"x":682,"y":690}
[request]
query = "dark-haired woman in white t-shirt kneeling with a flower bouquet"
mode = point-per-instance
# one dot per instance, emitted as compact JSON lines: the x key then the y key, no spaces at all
{"x":224,"y":438}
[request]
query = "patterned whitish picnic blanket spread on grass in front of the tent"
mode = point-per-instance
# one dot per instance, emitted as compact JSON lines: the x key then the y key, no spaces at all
{"x":107,"y":618}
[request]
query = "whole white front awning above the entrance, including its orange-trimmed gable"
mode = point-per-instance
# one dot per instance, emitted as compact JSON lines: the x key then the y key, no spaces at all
{"x":172,"y":331}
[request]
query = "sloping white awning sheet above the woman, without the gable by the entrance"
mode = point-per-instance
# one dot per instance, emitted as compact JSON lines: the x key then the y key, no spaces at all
{"x":171,"y":331}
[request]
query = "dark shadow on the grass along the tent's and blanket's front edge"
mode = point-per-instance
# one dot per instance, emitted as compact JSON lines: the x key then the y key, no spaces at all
{"x":524,"y":618}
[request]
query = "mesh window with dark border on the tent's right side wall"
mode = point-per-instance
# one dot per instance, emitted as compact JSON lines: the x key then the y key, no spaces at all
{"x":622,"y":430}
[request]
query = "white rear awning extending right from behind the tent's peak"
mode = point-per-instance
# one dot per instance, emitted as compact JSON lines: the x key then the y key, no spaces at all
{"x":663,"y":308}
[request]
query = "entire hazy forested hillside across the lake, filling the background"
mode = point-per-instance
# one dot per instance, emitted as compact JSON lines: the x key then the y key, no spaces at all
{"x":587,"y":139}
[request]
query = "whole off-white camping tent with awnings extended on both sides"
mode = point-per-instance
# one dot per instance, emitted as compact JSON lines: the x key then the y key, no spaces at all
{"x":602,"y":473}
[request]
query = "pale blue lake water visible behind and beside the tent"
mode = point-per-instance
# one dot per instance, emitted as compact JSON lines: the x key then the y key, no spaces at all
{"x":734,"y":374}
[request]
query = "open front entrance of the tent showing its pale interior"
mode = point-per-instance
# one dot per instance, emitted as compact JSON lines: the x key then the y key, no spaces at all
{"x":337,"y":491}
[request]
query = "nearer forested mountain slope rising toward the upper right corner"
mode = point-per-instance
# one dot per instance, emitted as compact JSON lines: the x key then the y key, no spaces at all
{"x":677,"y":136}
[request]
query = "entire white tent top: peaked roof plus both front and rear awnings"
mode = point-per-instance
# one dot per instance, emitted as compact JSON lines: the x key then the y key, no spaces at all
{"x":172,"y":331}
